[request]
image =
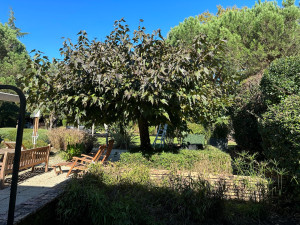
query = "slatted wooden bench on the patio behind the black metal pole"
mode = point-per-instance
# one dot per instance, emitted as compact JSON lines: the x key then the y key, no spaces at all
{"x":29,"y":158}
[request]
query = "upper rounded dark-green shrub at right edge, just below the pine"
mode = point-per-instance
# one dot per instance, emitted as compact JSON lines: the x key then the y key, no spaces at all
{"x":281,"y":79}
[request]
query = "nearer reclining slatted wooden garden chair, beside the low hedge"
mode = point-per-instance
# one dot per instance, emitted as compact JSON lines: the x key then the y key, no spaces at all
{"x":82,"y":163}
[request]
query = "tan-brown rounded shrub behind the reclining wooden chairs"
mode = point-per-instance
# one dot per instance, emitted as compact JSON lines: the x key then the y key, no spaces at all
{"x":61,"y":137}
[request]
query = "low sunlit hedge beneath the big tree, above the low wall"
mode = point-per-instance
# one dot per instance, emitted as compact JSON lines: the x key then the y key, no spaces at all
{"x":209,"y":160}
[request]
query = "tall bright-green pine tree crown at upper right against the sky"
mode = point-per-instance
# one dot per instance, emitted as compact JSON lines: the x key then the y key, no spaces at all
{"x":255,"y":36}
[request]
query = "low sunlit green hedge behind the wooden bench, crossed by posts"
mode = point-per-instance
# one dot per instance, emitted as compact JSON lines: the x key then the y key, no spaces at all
{"x":9,"y":134}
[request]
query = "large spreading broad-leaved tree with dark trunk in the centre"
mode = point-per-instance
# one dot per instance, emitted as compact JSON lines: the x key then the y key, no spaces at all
{"x":141,"y":79}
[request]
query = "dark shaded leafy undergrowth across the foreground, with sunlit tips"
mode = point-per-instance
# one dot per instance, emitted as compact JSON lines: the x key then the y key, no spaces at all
{"x":131,"y":197}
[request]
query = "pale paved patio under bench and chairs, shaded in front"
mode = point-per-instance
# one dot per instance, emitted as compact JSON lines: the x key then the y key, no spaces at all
{"x":37,"y":189}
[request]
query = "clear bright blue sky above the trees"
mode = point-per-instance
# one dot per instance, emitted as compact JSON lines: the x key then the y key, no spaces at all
{"x":47,"y":21}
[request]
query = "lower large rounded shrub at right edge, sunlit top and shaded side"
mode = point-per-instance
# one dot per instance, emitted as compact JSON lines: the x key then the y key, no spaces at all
{"x":280,"y":130}
